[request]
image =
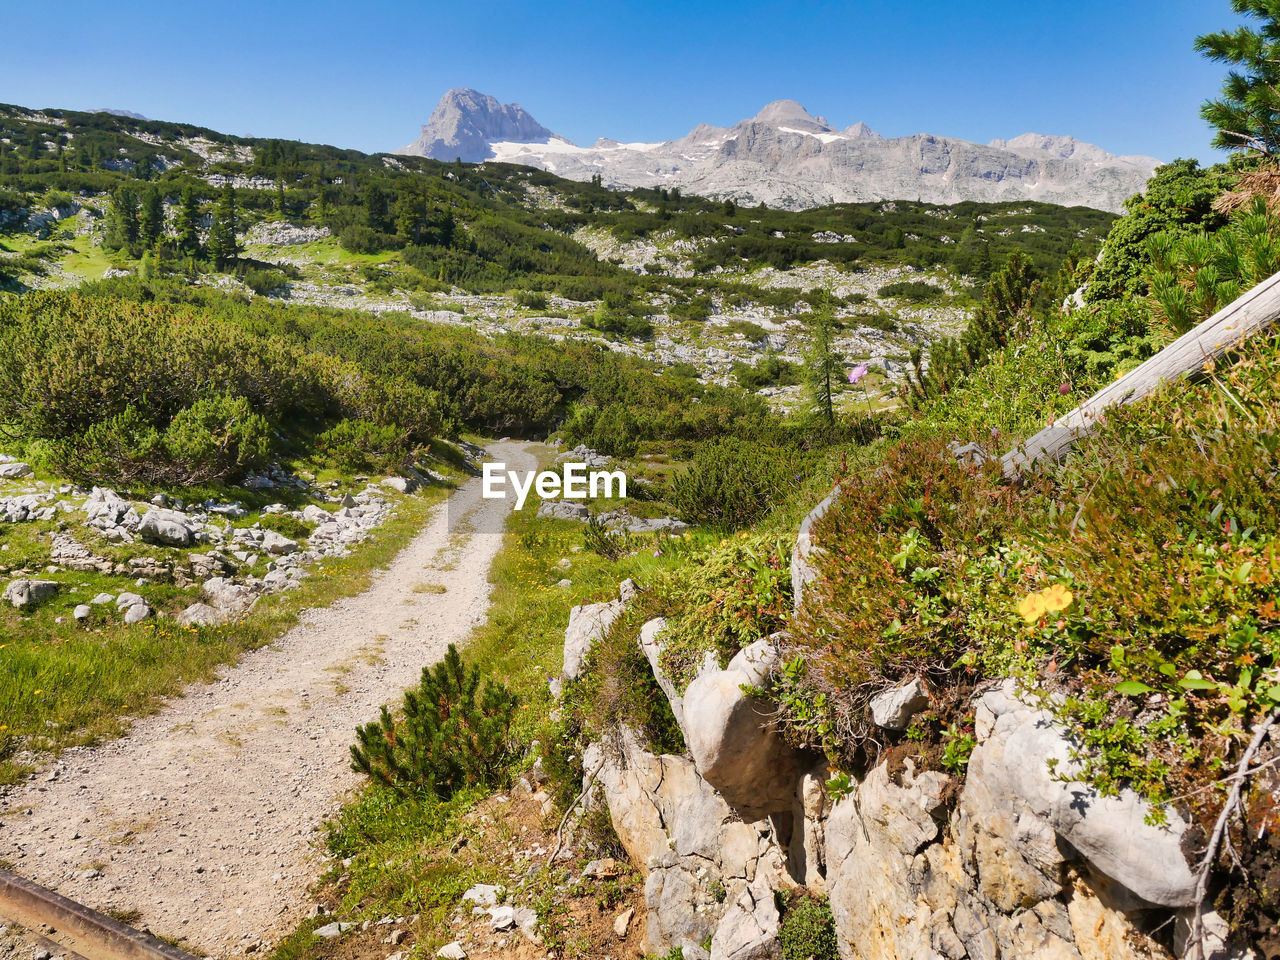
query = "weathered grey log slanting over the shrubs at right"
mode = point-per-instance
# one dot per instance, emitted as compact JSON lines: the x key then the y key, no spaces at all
{"x":1240,"y":321}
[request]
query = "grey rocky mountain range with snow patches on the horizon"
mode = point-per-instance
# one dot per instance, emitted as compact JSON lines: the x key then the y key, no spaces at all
{"x":785,"y":157}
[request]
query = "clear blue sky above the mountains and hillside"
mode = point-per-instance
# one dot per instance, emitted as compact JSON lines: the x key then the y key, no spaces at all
{"x":1119,"y":74}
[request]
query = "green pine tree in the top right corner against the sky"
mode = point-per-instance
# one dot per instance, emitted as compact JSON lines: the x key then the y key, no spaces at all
{"x":1247,"y":116}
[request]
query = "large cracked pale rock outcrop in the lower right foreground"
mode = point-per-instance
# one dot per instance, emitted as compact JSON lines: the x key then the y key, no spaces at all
{"x":1018,"y":861}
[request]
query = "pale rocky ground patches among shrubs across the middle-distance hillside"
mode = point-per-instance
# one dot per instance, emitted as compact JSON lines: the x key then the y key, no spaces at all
{"x":733,"y":333}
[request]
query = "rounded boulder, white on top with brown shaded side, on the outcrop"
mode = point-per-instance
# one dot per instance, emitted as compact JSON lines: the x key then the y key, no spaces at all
{"x":733,"y":740}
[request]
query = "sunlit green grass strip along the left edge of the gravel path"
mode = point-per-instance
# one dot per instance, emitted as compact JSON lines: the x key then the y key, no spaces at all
{"x":66,"y":685}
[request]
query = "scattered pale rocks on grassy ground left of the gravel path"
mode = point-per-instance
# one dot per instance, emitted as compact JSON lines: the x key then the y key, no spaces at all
{"x":228,"y":555}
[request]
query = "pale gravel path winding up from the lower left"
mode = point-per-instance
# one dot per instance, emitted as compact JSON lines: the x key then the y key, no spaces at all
{"x":205,"y":819}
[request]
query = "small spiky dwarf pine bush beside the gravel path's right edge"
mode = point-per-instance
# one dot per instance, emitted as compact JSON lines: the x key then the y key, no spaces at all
{"x":447,"y":738}
